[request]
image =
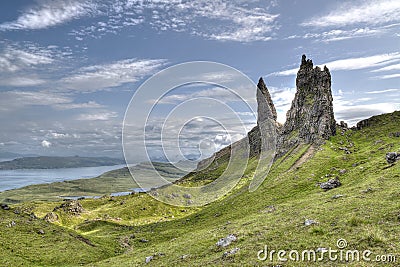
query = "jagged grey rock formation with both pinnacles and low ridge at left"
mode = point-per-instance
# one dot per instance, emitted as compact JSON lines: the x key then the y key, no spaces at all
{"x":310,"y":119}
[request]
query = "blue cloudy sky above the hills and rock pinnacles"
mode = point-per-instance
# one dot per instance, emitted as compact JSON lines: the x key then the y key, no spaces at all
{"x":69,"y":69}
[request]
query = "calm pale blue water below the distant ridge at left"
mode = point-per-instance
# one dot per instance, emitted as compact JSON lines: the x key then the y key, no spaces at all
{"x":11,"y":179}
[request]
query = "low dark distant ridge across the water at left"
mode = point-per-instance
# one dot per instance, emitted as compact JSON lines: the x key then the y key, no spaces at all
{"x":45,"y":162}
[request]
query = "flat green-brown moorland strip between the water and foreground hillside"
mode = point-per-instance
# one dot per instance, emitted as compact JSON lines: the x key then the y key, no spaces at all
{"x":113,"y":181}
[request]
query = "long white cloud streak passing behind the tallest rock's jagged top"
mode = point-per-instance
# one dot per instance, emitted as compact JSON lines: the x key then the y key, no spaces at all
{"x":352,"y":63}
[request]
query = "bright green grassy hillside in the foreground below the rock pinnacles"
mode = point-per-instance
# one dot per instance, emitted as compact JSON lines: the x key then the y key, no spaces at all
{"x":366,"y":216}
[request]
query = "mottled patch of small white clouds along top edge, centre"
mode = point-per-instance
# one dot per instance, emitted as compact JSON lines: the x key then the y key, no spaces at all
{"x":221,"y":20}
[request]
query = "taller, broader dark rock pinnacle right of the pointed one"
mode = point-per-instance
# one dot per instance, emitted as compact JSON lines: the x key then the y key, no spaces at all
{"x":310,"y":118}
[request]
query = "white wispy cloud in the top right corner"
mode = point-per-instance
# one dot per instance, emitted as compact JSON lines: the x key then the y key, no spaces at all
{"x":371,"y":12}
